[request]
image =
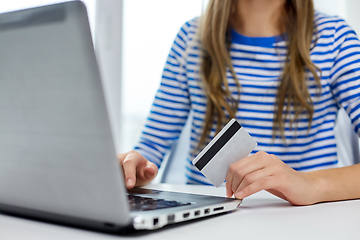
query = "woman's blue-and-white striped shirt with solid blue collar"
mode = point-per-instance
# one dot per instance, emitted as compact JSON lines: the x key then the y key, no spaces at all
{"x":258,"y":65}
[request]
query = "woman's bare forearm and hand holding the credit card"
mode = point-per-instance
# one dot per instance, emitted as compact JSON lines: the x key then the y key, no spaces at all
{"x":263,"y":171}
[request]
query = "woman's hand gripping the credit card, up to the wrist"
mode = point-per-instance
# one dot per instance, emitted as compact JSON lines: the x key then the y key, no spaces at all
{"x":263,"y":171}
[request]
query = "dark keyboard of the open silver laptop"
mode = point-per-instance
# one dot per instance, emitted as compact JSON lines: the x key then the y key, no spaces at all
{"x":139,"y":203}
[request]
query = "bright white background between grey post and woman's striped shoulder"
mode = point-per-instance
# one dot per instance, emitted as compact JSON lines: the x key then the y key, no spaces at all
{"x":149,"y":29}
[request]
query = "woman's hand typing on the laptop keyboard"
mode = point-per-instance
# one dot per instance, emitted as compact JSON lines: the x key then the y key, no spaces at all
{"x":137,"y":169}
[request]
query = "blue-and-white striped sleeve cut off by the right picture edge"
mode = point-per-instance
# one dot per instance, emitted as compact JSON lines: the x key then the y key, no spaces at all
{"x":345,"y":73}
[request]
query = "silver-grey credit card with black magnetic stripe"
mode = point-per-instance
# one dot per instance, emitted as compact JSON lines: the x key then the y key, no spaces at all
{"x":230,"y":145}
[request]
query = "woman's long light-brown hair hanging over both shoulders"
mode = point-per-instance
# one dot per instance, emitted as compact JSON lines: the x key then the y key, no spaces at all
{"x":214,"y":33}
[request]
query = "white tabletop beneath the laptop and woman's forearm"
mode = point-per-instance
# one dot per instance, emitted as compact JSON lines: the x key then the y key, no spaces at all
{"x":261,"y":216}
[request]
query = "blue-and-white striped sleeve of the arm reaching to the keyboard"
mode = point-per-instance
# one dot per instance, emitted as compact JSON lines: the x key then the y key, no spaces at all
{"x":171,"y":105}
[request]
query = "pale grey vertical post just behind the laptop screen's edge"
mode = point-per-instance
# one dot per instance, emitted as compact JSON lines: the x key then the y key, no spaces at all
{"x":108,"y":46}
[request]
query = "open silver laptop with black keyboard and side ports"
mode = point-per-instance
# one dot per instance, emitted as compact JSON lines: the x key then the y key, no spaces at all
{"x":57,"y":157}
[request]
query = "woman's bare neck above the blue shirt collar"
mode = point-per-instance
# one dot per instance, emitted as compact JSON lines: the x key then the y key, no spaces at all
{"x":258,"y":18}
